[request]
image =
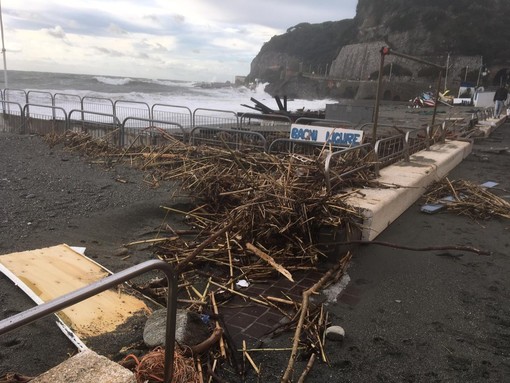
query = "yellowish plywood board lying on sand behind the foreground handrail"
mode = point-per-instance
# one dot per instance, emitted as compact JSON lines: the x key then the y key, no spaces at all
{"x":54,"y":271}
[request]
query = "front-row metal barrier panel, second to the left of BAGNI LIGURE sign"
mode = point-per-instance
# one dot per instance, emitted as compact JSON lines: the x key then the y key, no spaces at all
{"x":150,"y":132}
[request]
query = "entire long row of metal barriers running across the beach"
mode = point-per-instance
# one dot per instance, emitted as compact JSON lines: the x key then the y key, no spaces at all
{"x":100,"y":118}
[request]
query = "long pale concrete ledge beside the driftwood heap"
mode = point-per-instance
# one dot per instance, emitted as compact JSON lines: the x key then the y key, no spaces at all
{"x":406,"y":181}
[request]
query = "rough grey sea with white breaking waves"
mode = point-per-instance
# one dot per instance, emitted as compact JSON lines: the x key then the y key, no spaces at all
{"x":191,"y":94}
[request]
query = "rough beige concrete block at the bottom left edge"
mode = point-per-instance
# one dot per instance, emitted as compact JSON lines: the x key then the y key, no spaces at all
{"x":87,"y":367}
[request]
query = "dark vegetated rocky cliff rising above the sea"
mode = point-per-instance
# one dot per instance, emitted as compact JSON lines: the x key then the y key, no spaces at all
{"x":466,"y":34}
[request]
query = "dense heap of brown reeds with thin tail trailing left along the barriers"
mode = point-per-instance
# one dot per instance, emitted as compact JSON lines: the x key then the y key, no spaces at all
{"x":270,"y":209}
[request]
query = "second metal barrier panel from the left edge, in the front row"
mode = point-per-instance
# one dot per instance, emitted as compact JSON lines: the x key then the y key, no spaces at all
{"x":43,"y":123}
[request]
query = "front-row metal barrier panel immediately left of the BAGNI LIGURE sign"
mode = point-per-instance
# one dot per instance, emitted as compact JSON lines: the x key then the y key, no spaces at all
{"x":234,"y":139}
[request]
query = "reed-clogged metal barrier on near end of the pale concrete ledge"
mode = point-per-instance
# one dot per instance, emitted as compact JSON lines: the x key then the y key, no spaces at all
{"x":362,"y":155}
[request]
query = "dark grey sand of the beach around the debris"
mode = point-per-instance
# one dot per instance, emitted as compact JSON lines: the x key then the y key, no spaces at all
{"x":409,"y":316}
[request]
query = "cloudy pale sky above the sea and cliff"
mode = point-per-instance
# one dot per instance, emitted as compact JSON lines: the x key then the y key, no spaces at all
{"x":193,"y":40}
